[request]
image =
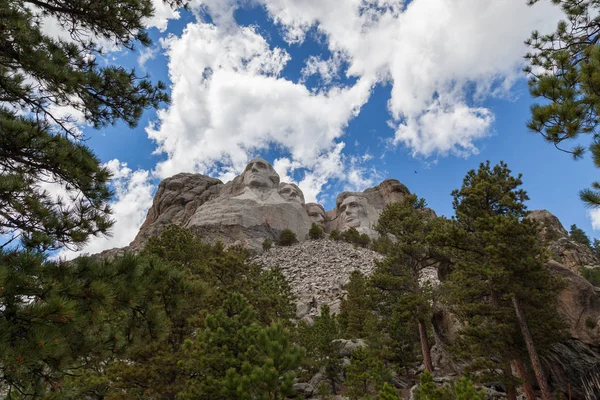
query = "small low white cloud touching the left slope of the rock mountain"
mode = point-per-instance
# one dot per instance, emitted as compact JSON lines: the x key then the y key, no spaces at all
{"x":133,"y":198}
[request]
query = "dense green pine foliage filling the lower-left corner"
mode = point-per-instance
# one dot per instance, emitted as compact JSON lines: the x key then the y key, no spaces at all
{"x":74,"y":314}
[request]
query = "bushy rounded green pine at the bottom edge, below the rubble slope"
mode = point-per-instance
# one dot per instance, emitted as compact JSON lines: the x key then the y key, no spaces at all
{"x":235,"y":358}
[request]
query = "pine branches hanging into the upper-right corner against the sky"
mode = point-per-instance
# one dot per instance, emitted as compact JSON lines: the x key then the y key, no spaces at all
{"x":564,"y":69}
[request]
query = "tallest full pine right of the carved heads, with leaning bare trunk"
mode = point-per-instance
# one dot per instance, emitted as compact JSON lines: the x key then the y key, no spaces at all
{"x":499,"y":286}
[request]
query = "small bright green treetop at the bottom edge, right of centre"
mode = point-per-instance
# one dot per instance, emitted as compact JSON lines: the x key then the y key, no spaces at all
{"x":463,"y":389}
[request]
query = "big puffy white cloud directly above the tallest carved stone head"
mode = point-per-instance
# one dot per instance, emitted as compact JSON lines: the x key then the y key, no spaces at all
{"x":229,"y":103}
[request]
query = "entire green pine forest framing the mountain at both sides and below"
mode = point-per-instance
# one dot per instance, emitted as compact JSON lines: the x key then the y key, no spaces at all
{"x":185,"y":319}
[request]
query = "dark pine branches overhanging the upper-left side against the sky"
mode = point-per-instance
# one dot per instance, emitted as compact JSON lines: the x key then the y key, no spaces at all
{"x":40,"y":74}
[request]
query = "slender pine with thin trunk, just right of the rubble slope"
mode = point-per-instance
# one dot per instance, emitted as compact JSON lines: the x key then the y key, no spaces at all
{"x":400,"y":273}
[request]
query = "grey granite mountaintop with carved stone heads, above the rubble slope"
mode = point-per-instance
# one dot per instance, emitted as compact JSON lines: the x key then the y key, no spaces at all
{"x":256,"y":206}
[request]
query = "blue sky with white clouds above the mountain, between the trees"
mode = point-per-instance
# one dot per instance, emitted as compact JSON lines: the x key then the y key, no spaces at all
{"x":340,"y":95}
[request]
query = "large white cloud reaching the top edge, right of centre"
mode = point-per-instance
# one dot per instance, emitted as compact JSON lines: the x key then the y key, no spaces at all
{"x":429,"y":50}
